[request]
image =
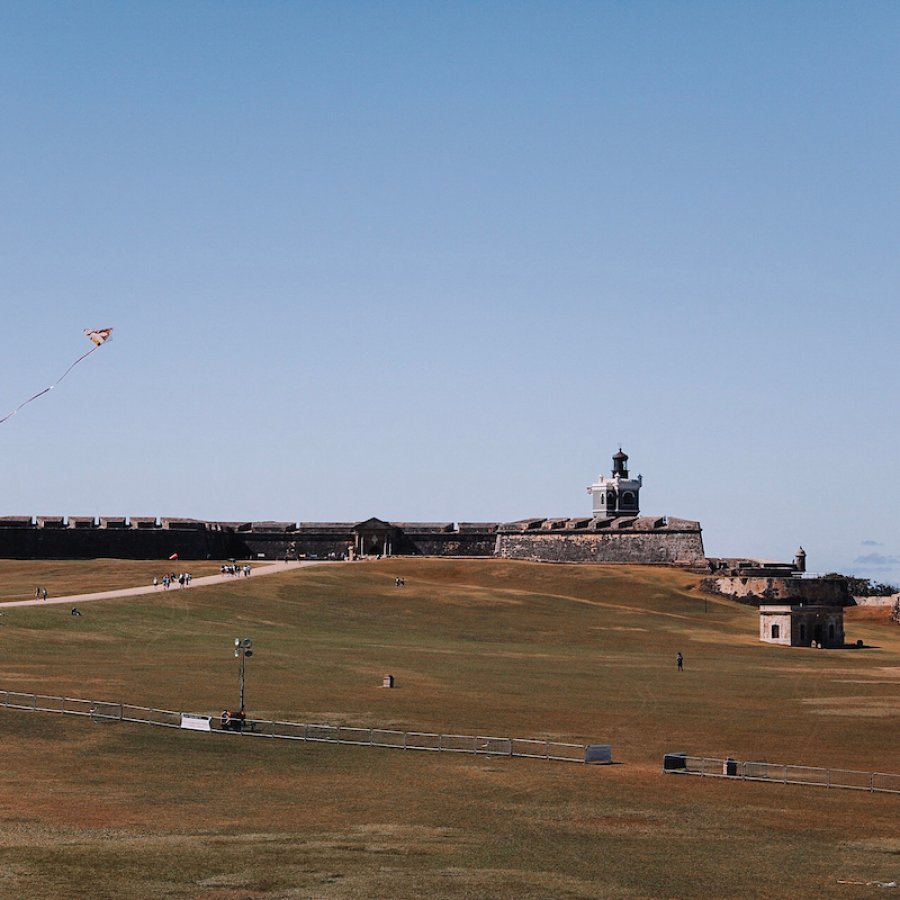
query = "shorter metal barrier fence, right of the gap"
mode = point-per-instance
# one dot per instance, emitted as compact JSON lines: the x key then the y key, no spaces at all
{"x":778,"y":773}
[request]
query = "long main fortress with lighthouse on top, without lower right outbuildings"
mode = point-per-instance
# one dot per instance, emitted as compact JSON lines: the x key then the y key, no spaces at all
{"x":615,"y":532}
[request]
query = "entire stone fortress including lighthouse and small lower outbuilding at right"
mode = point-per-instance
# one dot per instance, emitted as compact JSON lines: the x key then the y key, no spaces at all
{"x":794,"y":610}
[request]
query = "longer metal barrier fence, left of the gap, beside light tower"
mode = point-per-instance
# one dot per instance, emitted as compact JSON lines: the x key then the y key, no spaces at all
{"x":104,"y":711}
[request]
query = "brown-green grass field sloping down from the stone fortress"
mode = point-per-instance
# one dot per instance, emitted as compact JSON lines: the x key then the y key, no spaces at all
{"x":582,"y":654}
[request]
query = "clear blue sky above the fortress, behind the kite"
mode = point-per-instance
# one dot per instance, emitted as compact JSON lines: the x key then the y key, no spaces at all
{"x":434,"y":261}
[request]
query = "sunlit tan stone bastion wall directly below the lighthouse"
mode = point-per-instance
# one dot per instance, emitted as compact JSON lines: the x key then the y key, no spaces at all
{"x":674,"y":548}
